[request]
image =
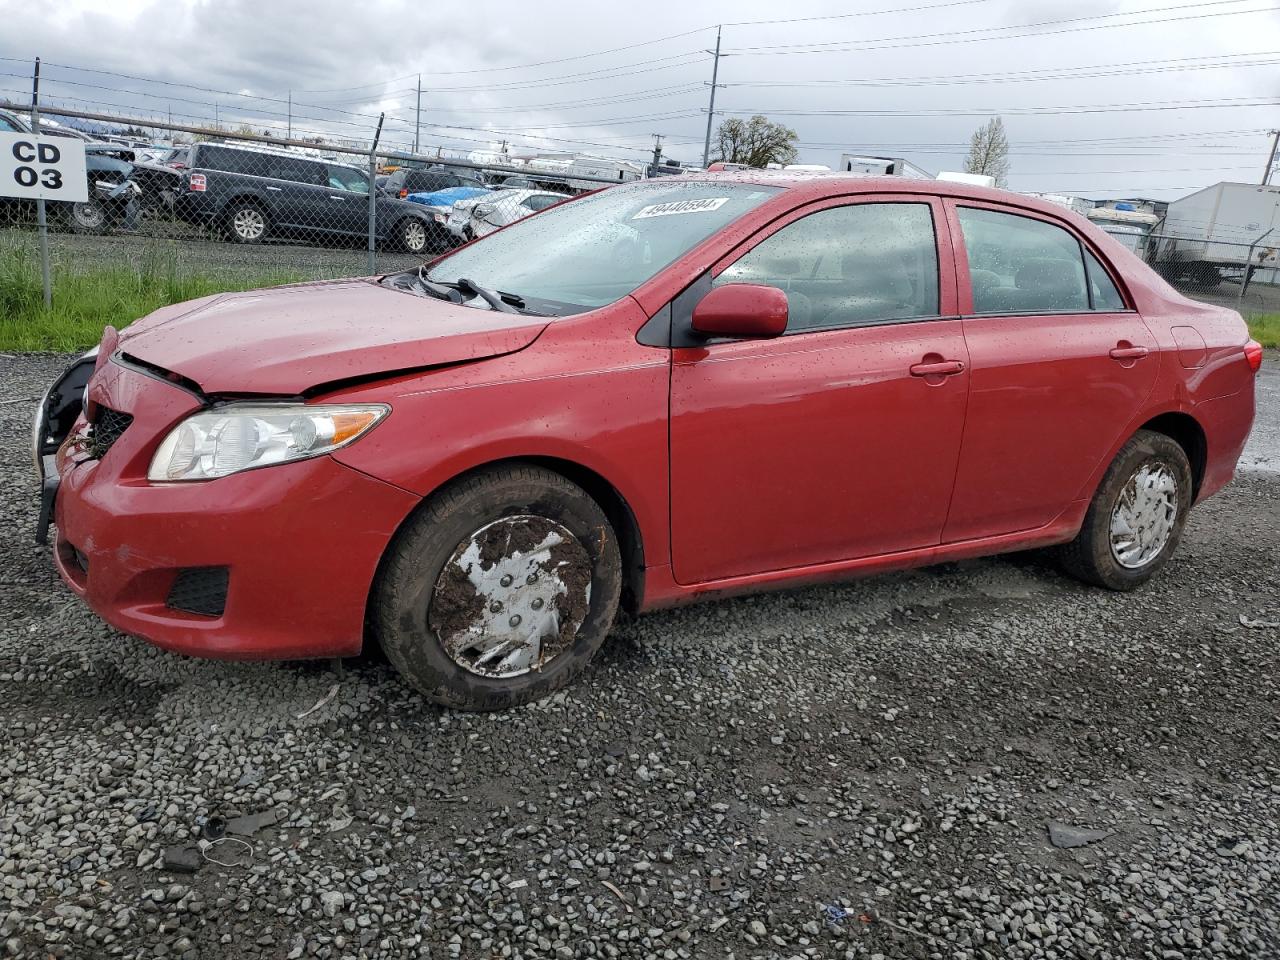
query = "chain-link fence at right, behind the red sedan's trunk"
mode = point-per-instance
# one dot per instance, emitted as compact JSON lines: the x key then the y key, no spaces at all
{"x":1245,"y":276}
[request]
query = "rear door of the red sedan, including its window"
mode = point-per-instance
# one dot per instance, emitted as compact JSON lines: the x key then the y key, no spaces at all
{"x":1060,"y":367}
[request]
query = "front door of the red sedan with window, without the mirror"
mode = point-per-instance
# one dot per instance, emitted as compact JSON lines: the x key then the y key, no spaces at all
{"x":840,"y":438}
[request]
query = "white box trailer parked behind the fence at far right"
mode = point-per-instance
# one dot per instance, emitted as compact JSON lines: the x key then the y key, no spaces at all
{"x":1219,"y":231}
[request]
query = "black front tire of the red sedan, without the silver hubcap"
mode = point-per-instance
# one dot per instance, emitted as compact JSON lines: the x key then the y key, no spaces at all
{"x":408,"y":609}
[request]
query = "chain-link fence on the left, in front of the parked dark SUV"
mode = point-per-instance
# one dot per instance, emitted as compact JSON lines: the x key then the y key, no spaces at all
{"x":244,"y":211}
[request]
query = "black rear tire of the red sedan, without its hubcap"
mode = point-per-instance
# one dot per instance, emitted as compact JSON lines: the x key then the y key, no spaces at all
{"x":1091,"y":557}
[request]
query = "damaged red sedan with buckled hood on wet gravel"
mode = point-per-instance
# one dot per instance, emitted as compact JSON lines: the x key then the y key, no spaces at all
{"x":661,"y":392}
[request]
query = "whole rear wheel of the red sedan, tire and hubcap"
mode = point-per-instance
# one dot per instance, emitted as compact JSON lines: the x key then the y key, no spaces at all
{"x":1137,"y":516}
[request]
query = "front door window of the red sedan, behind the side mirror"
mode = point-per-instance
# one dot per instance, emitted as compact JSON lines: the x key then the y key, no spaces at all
{"x":849,"y":266}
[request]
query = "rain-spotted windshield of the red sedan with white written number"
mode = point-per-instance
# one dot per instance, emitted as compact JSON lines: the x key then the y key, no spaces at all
{"x":593,"y":252}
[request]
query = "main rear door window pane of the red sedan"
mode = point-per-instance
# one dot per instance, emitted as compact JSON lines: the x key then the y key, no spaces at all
{"x":1021,"y":266}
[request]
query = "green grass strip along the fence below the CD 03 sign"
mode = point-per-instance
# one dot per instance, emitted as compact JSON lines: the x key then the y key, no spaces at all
{"x":89,"y":298}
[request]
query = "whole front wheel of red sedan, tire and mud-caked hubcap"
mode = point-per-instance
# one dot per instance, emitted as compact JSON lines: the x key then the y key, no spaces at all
{"x":500,"y":589}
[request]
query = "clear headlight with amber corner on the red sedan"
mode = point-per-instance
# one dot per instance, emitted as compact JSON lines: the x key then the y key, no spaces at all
{"x":243,"y":437}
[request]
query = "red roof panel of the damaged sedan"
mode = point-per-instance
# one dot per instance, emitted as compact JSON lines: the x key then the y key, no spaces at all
{"x":820,"y":185}
